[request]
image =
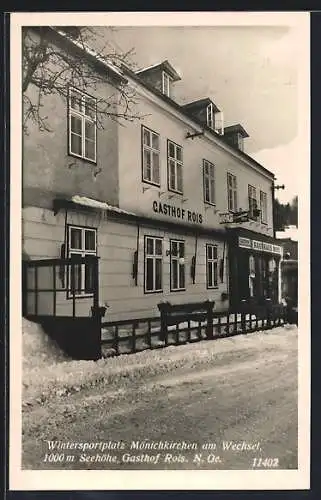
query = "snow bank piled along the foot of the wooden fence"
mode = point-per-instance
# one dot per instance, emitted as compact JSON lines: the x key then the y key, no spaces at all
{"x":60,"y":376}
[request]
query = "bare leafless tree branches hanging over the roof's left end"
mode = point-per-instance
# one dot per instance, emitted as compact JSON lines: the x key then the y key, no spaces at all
{"x":55,"y":58}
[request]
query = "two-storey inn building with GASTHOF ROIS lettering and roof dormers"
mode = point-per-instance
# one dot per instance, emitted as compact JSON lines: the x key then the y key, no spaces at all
{"x":171,"y":204}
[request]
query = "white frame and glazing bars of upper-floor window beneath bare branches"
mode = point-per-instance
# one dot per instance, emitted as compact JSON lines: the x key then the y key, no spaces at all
{"x":81,"y":115}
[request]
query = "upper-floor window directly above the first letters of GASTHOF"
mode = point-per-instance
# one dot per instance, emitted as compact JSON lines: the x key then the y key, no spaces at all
{"x":150,"y":142}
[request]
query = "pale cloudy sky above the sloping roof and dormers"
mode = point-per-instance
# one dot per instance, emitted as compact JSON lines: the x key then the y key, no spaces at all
{"x":250,"y":72}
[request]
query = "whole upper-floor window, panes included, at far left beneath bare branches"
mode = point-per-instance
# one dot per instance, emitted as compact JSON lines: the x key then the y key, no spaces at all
{"x":82,"y":125}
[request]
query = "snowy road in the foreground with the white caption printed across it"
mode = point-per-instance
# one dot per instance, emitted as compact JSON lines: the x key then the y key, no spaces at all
{"x":246,"y":402}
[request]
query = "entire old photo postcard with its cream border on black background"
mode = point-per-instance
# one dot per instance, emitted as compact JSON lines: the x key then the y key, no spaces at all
{"x":160,"y":324}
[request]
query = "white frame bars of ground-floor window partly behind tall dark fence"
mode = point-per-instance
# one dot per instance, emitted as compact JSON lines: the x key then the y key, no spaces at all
{"x":82,"y":252}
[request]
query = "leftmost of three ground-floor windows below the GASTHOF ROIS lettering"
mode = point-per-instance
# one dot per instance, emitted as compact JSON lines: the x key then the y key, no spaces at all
{"x":153,"y":264}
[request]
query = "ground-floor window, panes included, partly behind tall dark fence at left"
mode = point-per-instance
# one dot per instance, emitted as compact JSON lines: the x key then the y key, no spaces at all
{"x":82,"y":242}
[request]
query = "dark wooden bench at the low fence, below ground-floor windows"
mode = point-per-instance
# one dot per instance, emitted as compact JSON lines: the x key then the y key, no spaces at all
{"x":173,"y":314}
